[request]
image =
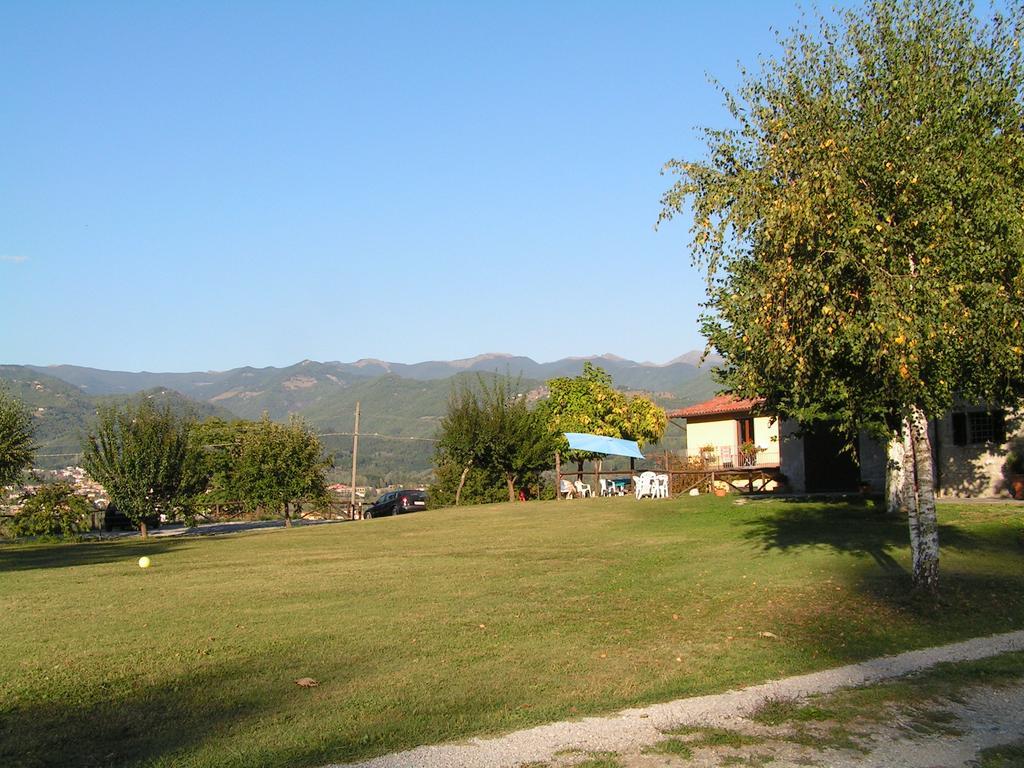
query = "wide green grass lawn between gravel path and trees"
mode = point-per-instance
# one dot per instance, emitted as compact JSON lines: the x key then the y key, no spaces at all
{"x":453,"y":623}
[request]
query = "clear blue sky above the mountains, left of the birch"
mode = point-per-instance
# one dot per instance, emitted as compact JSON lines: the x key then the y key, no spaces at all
{"x":202,"y":186}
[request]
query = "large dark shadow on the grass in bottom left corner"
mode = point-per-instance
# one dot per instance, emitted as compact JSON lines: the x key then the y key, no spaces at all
{"x":130,"y":723}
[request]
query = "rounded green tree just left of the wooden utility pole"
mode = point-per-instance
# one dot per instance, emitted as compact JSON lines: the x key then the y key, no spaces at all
{"x":278,"y":465}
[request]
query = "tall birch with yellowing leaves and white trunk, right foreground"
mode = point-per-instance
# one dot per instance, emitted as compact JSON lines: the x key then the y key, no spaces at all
{"x":861,"y":227}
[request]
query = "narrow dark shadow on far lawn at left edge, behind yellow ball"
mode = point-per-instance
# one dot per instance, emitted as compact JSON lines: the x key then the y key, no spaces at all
{"x":60,"y":556}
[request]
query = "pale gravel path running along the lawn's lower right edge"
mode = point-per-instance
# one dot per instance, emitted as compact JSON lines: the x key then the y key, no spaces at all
{"x":631,"y":731}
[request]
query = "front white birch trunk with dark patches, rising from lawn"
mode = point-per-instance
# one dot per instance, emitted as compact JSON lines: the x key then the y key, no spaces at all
{"x":922,"y":520}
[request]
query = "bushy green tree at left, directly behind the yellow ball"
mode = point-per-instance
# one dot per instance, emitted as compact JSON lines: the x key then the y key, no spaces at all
{"x":140,"y":454}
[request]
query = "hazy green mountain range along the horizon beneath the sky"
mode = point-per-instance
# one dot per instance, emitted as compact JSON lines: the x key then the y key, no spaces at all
{"x":401,"y":404}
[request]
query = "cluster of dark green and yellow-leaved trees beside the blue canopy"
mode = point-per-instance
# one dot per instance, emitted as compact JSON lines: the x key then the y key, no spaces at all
{"x":491,"y":437}
